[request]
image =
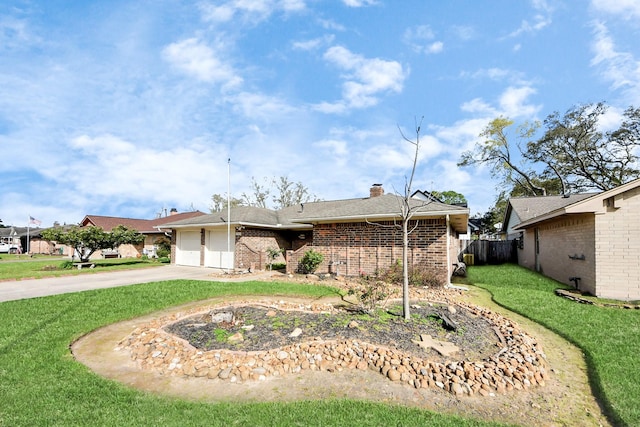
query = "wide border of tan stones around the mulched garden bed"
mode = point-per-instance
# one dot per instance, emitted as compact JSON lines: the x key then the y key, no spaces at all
{"x":519,"y":364}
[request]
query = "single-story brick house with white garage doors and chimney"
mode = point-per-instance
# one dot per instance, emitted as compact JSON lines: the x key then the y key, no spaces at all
{"x":356,"y":236}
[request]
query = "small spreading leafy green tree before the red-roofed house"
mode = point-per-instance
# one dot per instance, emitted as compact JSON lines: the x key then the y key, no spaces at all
{"x":87,"y":240}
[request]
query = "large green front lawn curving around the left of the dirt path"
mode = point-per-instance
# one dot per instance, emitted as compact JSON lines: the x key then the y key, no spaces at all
{"x":42,"y":385}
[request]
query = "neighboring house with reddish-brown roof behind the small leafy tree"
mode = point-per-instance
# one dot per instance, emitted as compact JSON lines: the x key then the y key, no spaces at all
{"x":148,"y":227}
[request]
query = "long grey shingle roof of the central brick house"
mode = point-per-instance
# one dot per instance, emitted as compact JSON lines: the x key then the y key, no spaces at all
{"x":385,"y":207}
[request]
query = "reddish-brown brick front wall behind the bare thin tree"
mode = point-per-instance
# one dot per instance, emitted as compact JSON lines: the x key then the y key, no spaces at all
{"x":365,"y":248}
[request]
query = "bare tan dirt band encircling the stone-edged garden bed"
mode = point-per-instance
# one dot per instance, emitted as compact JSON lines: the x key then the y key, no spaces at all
{"x":564,"y":400}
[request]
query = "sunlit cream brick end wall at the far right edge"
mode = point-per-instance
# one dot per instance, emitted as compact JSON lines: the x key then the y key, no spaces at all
{"x":618,"y":248}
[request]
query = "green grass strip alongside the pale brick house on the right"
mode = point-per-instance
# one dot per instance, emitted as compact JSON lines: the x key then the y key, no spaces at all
{"x":609,"y":337}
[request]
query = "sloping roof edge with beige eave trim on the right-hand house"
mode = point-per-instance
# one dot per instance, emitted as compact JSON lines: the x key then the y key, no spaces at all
{"x":582,"y":203}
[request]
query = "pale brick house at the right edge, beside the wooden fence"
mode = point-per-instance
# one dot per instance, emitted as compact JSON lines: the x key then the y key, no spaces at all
{"x":589,"y":241}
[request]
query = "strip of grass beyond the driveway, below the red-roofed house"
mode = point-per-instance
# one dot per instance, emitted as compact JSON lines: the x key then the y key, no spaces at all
{"x":12,"y":267}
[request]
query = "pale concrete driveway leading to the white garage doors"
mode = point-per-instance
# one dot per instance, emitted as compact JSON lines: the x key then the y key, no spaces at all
{"x":21,"y":289}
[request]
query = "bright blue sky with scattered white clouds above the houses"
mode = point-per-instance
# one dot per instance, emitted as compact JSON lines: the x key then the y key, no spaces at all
{"x":126,"y":108}
